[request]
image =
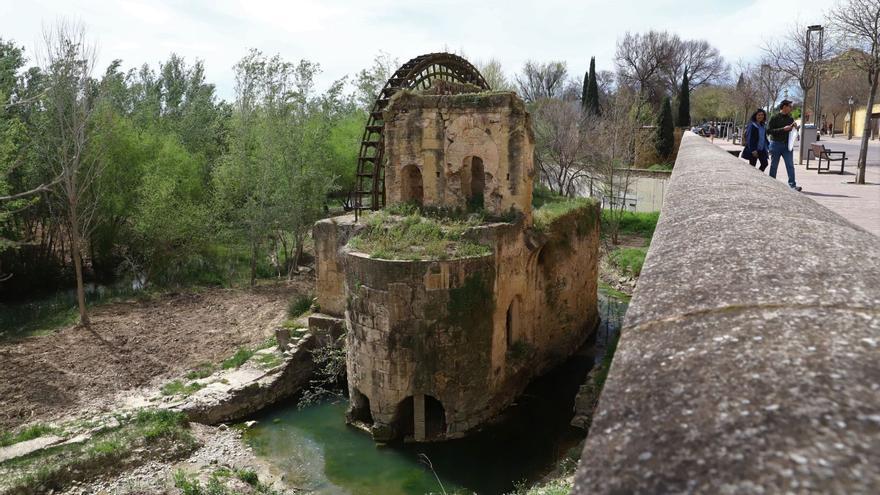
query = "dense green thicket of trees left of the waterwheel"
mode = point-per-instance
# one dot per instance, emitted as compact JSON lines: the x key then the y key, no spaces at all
{"x":181,"y":187}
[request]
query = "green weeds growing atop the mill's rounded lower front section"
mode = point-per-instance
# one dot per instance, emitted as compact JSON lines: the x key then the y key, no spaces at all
{"x":415,"y":237}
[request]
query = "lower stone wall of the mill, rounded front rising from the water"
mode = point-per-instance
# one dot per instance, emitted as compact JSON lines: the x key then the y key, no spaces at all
{"x":469,"y":333}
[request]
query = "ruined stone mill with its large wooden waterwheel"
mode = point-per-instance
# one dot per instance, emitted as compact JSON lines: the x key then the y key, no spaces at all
{"x":439,"y":345}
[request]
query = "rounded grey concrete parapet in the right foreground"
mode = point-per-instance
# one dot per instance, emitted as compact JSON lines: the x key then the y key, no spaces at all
{"x":749,"y":360}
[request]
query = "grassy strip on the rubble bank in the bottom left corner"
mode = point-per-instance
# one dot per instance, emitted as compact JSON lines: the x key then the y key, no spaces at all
{"x":145,"y":433}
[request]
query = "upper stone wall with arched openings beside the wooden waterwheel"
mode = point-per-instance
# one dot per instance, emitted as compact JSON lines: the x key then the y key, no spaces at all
{"x":432,"y":141}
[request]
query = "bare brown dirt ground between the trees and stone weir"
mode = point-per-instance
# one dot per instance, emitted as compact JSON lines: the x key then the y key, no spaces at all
{"x":132,"y":345}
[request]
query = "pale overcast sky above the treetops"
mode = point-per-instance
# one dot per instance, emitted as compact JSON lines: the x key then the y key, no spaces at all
{"x":345,"y":36}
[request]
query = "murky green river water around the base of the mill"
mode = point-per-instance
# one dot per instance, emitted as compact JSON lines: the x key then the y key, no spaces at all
{"x":318,"y":452}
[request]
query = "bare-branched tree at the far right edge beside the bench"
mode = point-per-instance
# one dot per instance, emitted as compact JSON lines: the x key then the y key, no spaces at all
{"x":858,"y":23}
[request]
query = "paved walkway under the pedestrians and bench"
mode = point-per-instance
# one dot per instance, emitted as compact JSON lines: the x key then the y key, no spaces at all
{"x":860,"y":204}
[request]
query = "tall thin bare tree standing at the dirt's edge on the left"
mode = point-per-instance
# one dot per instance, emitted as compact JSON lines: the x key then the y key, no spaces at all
{"x":70,"y":100}
